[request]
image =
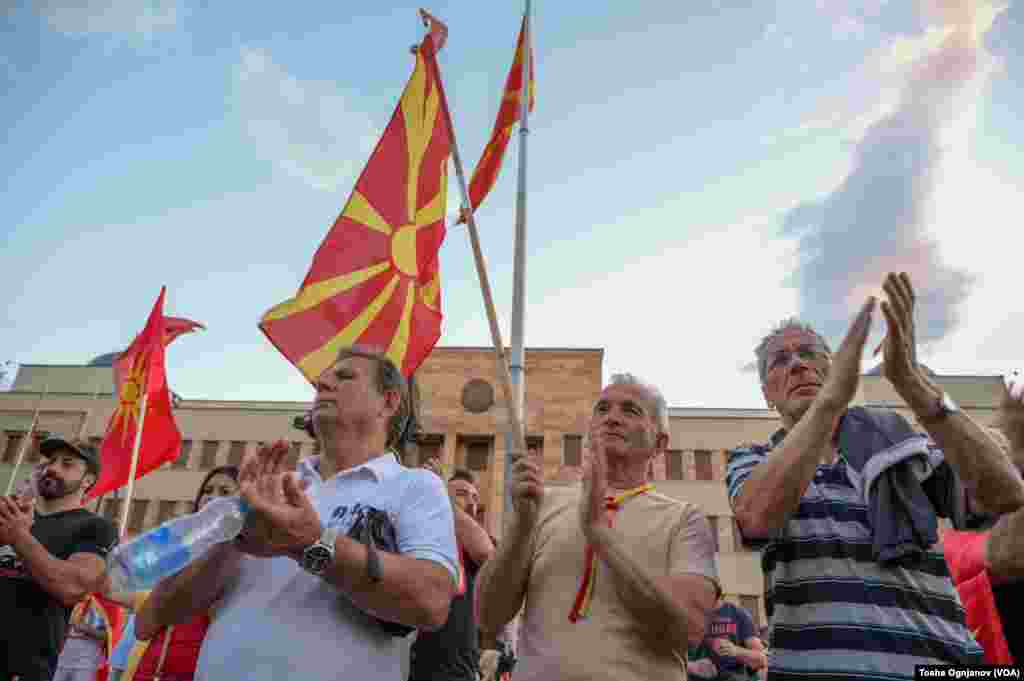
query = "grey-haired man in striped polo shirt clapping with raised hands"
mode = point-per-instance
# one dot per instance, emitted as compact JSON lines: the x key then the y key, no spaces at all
{"x":843,"y":604}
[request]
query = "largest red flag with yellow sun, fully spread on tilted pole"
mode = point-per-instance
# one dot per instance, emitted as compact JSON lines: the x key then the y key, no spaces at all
{"x":375,"y":280}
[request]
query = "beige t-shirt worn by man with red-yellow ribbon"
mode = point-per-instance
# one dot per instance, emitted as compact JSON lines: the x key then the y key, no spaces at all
{"x":666,"y":536}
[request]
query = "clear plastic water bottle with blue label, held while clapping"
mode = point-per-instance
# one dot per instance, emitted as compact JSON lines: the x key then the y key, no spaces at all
{"x":141,"y":564}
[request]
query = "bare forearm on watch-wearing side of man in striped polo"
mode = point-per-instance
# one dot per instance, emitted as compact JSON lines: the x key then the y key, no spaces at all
{"x":989,"y":475}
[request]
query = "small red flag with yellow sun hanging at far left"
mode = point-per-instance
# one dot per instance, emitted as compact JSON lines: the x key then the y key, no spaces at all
{"x":140,"y":372}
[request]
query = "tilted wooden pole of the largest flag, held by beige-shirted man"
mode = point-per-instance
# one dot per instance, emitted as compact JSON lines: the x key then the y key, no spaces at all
{"x":516,"y":421}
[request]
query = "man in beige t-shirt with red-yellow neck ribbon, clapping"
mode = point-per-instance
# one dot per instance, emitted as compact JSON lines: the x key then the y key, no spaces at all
{"x":619,"y":603}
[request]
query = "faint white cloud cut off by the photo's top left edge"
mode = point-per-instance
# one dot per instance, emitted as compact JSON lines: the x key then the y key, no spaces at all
{"x":142,"y":19}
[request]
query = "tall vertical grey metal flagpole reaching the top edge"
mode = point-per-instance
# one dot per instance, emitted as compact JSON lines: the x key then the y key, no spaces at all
{"x":517,"y":371}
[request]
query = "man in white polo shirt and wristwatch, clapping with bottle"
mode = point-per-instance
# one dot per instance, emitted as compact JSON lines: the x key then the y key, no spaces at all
{"x":300,"y":600}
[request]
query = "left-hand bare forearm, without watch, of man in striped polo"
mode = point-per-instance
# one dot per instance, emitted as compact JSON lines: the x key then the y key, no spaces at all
{"x":772,"y":494}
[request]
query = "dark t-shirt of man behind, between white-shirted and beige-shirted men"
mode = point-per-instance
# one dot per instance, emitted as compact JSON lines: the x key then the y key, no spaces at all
{"x":452,"y":653}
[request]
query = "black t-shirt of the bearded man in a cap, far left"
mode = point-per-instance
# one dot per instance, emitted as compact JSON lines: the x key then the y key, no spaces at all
{"x":34,"y":623}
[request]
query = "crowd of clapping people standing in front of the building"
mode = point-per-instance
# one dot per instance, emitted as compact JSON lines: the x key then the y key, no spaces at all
{"x":357,"y":566}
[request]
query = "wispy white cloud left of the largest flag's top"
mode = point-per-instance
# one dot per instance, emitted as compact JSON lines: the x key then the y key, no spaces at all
{"x":310,"y":130}
